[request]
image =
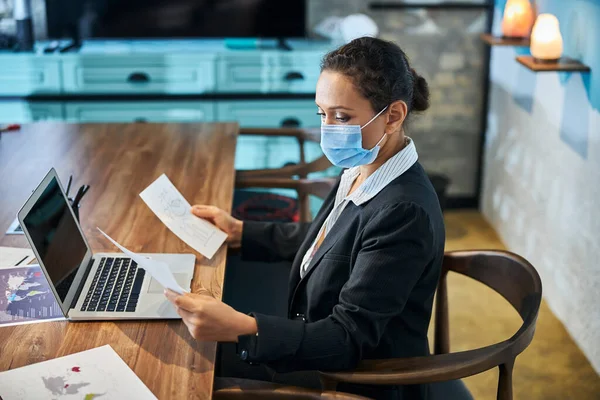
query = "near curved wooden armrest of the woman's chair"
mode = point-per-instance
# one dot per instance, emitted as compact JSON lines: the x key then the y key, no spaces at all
{"x":418,"y":370}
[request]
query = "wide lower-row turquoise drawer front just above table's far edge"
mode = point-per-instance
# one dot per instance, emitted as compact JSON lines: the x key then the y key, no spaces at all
{"x":140,"y":111}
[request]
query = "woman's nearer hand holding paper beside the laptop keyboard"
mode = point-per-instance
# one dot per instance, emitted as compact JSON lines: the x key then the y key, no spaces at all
{"x":209,"y":319}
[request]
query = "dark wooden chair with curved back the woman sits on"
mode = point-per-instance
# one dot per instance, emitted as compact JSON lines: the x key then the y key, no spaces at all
{"x":511,"y":276}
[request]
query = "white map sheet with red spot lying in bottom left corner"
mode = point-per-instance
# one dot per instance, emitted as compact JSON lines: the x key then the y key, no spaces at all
{"x":93,"y":374}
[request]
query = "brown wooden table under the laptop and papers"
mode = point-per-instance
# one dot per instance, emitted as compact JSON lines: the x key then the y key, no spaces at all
{"x":119,"y":161}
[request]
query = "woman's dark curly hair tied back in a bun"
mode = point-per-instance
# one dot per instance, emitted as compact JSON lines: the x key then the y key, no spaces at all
{"x":381,"y":72}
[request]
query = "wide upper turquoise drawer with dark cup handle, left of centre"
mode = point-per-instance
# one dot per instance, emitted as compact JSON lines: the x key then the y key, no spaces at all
{"x":139,"y":74}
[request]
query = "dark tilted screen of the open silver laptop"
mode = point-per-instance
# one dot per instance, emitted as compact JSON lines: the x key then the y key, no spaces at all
{"x":56,"y":237}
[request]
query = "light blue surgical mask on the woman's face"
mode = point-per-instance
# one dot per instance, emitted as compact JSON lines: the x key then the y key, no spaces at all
{"x":342,"y":144}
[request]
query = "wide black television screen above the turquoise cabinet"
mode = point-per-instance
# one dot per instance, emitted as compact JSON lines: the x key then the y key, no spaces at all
{"x":175,"y":18}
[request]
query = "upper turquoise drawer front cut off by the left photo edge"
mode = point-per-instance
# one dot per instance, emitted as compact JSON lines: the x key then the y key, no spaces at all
{"x":25,"y":75}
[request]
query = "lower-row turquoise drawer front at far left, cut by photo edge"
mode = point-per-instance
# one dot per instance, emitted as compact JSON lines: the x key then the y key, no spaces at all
{"x":22,"y":112}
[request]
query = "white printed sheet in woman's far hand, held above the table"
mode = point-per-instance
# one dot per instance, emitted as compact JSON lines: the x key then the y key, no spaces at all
{"x":174,"y":211}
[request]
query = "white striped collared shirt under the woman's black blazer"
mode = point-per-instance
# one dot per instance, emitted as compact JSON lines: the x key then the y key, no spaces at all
{"x":390,"y":170}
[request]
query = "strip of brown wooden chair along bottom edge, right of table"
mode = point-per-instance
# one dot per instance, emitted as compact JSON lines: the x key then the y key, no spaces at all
{"x":246,"y":389}
